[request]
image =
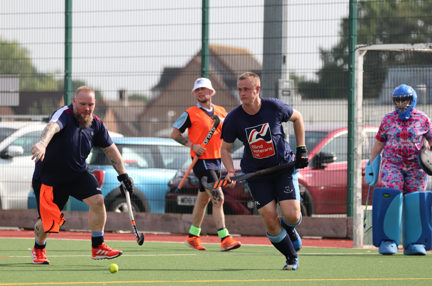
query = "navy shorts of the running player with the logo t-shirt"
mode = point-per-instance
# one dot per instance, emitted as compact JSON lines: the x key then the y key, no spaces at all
{"x":282,"y":186}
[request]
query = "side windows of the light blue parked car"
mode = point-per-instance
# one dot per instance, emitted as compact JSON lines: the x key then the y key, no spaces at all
{"x":146,"y":156}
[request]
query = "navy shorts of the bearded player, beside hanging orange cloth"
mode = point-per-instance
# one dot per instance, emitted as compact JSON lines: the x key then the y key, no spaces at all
{"x":82,"y":188}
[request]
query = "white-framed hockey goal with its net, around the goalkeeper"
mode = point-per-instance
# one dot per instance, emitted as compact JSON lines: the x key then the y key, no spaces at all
{"x":379,"y":70}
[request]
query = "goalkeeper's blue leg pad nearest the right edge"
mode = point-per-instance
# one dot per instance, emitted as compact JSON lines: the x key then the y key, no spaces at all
{"x":416,"y":220}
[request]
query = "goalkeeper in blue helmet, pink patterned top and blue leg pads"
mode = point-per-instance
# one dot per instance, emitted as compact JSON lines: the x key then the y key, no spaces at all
{"x":402,"y":204}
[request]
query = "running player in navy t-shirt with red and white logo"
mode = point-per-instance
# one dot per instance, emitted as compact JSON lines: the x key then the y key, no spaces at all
{"x":257,"y":122}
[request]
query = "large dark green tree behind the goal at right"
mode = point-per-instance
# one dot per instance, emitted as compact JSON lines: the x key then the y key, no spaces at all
{"x":379,"y":22}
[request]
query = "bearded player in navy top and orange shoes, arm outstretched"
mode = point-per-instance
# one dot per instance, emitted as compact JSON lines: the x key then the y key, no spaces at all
{"x":61,"y":171}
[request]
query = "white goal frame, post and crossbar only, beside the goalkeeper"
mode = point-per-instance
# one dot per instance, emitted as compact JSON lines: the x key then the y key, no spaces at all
{"x":360,"y":52}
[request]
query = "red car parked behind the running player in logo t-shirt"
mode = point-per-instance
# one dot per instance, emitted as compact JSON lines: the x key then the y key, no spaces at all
{"x":323,"y":184}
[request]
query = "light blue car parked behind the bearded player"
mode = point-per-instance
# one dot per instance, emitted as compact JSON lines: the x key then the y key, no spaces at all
{"x":151,"y":162}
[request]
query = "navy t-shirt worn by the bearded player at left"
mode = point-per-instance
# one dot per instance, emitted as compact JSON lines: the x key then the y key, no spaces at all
{"x":66,"y":154}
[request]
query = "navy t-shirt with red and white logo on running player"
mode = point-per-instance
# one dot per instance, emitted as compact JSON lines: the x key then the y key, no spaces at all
{"x":262,"y":135}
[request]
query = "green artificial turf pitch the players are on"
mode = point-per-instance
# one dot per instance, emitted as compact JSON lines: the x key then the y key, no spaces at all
{"x":161,"y":263}
